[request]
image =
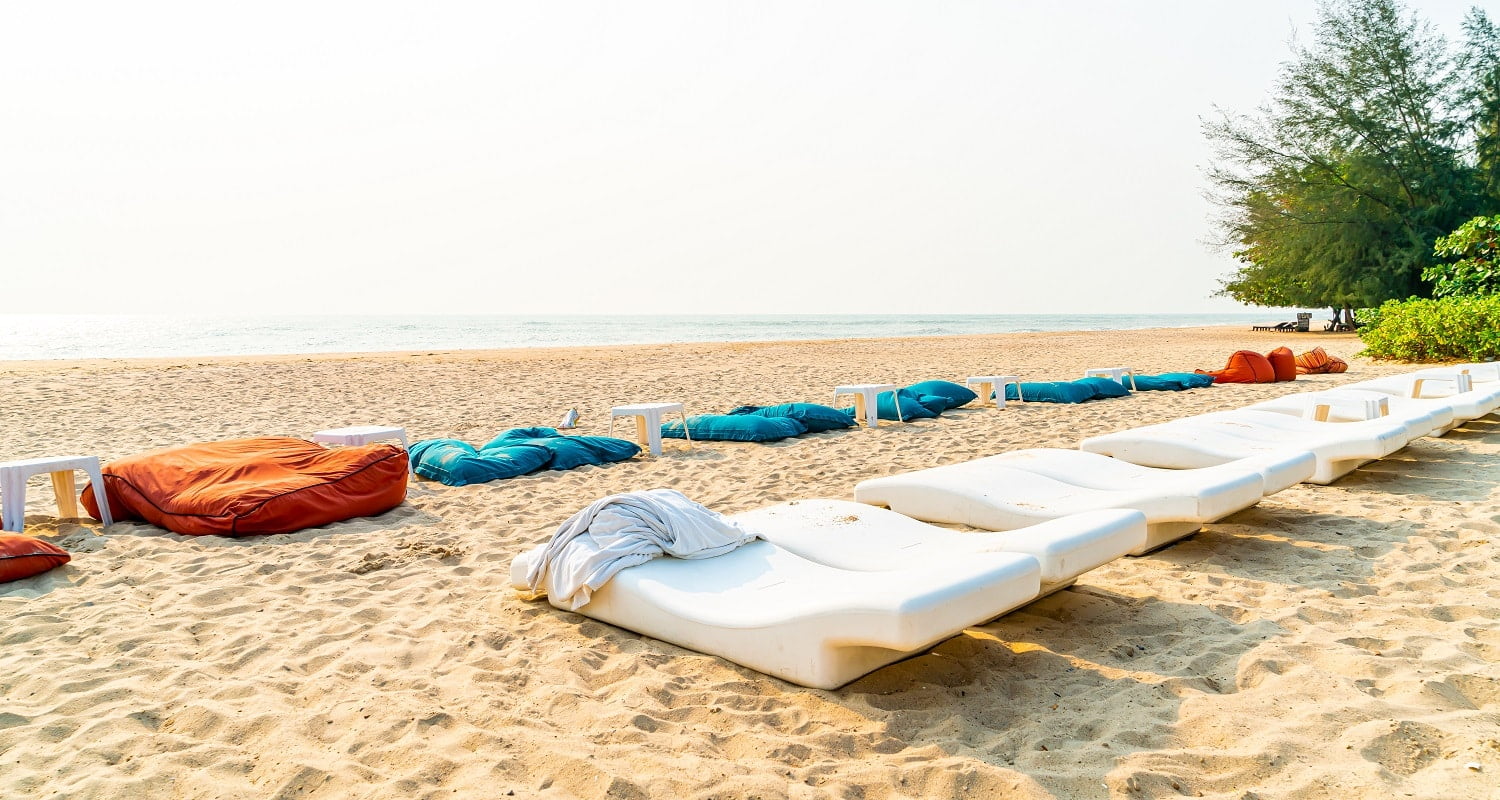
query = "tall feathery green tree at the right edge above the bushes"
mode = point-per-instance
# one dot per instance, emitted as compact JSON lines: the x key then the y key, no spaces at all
{"x":1367,"y":152}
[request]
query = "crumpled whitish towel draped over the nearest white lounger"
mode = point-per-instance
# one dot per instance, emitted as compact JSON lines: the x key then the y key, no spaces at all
{"x":625,"y":531}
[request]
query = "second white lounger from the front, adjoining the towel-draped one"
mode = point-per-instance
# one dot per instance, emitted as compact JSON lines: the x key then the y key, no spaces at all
{"x":865,"y":538}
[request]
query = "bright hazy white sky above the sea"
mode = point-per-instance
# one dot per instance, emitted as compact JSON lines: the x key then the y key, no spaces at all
{"x":952,"y":157}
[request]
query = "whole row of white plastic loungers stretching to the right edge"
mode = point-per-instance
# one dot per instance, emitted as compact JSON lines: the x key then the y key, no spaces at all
{"x":838,"y":589}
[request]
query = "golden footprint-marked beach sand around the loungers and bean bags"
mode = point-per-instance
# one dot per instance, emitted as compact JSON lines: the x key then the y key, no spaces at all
{"x":1336,"y":642}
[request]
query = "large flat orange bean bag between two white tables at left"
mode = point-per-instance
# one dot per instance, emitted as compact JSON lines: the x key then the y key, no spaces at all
{"x":253,"y":486}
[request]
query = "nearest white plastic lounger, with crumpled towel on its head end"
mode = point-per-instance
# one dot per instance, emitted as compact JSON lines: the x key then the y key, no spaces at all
{"x":803,"y":622}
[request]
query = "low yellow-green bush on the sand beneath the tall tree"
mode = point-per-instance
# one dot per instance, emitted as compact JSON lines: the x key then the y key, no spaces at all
{"x":1447,"y":329}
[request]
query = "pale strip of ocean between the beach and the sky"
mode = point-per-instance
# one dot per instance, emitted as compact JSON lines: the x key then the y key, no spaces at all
{"x":127,"y":337}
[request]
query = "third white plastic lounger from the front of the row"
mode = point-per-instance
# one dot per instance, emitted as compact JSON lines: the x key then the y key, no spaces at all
{"x":995,"y":495}
